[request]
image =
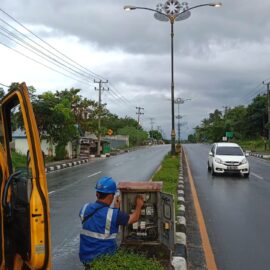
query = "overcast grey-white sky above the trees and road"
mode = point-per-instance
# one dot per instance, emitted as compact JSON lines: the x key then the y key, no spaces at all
{"x":221,"y":55}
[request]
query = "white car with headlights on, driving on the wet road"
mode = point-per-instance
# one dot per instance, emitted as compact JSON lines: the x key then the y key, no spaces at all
{"x":227,"y":158}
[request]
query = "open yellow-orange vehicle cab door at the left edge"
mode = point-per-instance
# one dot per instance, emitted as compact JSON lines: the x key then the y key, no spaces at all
{"x":24,"y":215}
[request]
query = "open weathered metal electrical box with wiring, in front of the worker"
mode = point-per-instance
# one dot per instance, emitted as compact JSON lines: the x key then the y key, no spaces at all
{"x":156,"y":224}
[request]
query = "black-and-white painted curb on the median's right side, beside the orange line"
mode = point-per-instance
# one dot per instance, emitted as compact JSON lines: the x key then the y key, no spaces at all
{"x":179,"y":256}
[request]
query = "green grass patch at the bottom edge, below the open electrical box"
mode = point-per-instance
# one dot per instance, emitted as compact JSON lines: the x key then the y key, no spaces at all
{"x":123,"y":260}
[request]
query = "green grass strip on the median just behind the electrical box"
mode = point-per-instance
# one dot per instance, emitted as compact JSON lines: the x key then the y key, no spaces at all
{"x":169,"y":173}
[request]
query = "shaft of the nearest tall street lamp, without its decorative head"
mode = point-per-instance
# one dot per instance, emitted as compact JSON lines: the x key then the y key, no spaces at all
{"x":172,"y":89}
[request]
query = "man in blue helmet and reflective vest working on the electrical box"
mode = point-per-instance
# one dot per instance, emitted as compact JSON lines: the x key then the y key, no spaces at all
{"x":100,"y":221}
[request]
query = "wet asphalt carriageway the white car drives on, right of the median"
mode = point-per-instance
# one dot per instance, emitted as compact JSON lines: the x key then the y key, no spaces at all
{"x":236,"y":212}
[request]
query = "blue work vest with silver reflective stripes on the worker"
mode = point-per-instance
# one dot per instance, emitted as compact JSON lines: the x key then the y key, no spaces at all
{"x":99,"y":232}
